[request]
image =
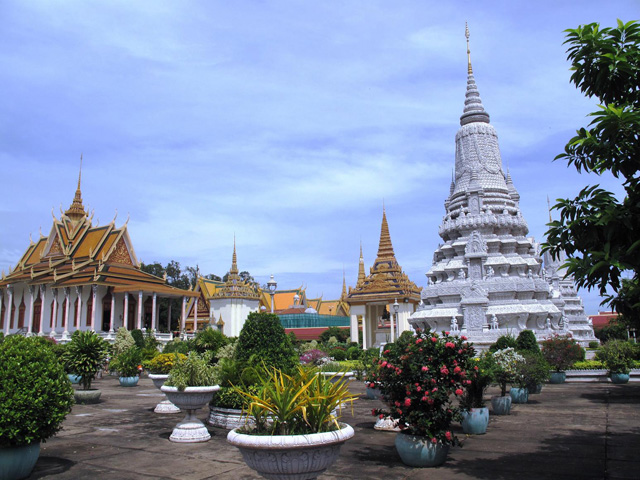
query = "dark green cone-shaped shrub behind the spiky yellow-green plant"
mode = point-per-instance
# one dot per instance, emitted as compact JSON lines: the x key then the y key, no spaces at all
{"x":263,"y":340}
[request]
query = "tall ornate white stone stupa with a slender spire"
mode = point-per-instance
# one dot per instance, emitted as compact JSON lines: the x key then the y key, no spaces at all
{"x":486,"y":279}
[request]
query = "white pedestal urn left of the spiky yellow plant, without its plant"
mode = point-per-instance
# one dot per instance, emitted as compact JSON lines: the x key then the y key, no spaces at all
{"x":190,"y":429}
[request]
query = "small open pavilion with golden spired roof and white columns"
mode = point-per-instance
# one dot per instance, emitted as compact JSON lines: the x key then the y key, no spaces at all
{"x":377,"y":296}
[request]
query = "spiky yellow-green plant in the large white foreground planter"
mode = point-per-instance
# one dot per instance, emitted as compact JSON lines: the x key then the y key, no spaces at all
{"x":300,"y":403}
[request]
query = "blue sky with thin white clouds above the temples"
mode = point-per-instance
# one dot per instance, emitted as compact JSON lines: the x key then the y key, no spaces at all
{"x":287,"y":124}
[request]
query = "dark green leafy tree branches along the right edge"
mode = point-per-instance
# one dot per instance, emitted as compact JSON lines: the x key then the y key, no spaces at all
{"x":600,"y":233}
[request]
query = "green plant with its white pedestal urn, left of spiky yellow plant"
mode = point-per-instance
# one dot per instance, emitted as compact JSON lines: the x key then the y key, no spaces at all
{"x":190,"y":386}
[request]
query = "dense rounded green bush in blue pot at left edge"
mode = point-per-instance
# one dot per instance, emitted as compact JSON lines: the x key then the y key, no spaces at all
{"x":35,"y":397}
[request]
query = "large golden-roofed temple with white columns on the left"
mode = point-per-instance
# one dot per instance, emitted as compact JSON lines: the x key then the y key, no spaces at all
{"x":81,"y":277}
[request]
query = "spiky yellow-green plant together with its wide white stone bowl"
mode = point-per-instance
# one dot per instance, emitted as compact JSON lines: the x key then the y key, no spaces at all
{"x":296,"y":433}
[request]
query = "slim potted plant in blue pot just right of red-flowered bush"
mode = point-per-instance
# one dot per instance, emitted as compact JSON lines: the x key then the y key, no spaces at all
{"x":475,"y":415}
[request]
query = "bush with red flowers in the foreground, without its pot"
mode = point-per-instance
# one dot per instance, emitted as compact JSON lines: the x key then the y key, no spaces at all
{"x":419,"y":375}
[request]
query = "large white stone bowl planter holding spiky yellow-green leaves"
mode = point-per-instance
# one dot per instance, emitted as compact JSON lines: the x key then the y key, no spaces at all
{"x":296,"y":457}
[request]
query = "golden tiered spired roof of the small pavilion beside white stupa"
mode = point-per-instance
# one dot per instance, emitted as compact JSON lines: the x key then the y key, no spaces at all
{"x":386,"y":280}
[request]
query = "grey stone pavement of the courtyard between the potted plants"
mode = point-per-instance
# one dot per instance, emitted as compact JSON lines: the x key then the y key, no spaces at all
{"x":570,"y":431}
